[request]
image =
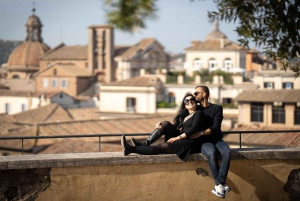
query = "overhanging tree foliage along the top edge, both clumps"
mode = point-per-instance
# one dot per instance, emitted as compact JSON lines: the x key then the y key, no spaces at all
{"x":271,"y":24}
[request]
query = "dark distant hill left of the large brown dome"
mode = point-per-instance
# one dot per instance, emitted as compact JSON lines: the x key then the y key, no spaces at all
{"x":6,"y":47}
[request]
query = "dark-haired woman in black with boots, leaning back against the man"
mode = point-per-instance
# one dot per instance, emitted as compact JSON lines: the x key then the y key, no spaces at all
{"x":186,"y":123}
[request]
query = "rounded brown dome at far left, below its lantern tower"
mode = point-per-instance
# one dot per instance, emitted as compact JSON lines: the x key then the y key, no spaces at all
{"x":27,"y":54}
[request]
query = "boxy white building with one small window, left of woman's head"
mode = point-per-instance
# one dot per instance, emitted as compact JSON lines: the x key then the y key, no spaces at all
{"x":136,"y":95}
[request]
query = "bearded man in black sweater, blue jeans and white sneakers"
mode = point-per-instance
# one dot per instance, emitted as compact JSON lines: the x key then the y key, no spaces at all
{"x":212,"y":142}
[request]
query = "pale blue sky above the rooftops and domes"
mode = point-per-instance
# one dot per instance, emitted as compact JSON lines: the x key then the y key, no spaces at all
{"x":178,"y":22}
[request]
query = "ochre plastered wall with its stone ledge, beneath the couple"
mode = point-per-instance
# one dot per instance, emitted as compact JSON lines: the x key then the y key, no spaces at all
{"x":255,"y":174}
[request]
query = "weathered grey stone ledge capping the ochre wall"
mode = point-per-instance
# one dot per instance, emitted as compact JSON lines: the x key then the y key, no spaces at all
{"x":113,"y":158}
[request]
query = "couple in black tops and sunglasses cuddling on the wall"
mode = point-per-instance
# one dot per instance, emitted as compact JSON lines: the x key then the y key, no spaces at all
{"x":195,"y":129}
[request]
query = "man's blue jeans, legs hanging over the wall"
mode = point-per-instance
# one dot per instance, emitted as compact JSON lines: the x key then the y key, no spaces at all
{"x":211,"y":150}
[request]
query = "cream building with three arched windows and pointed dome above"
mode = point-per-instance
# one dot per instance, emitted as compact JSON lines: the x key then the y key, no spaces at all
{"x":215,"y":52}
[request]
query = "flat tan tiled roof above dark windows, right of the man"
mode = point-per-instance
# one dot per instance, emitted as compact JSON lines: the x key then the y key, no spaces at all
{"x":266,"y":95}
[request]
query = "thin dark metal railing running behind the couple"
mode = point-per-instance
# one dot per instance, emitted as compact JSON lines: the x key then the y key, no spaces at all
{"x":136,"y":134}
